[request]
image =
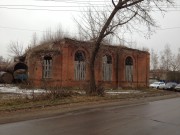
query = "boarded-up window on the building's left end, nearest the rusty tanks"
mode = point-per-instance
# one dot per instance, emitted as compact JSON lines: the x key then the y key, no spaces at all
{"x":47,"y":67}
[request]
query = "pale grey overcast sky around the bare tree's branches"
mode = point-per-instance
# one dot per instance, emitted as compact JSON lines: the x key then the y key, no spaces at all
{"x":19,"y":19}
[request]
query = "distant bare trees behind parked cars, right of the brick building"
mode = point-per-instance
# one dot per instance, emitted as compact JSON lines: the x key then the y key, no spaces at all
{"x":165,"y":65}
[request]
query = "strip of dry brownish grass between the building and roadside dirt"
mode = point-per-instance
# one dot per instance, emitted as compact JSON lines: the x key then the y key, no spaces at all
{"x":55,"y":97}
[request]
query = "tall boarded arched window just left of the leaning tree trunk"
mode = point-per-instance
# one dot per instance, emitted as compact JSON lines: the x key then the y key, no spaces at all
{"x":80,"y":66}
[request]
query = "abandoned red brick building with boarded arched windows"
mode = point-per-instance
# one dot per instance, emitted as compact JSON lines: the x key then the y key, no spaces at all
{"x":65,"y":64}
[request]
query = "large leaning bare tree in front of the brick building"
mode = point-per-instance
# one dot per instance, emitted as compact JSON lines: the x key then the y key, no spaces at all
{"x":122,"y":14}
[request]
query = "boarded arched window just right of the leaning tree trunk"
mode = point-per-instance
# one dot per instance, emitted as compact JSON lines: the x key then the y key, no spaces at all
{"x":107,"y":68}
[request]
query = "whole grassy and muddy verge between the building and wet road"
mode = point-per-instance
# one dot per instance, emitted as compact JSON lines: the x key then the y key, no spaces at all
{"x":19,"y":109}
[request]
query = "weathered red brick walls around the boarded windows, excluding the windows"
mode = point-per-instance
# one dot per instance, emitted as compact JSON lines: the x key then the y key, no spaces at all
{"x":63,"y":67}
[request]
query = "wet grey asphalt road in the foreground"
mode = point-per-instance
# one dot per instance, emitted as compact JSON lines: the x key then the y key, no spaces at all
{"x":153,"y":118}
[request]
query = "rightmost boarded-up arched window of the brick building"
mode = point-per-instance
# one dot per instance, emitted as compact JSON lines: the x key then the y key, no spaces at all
{"x":129,"y":69}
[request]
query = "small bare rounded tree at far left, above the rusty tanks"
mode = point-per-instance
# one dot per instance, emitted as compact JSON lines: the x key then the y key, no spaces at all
{"x":15,"y":49}
